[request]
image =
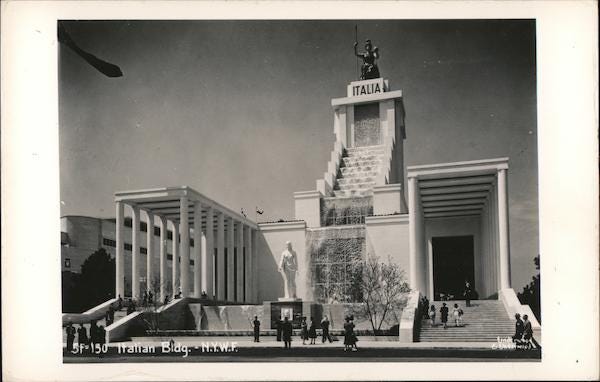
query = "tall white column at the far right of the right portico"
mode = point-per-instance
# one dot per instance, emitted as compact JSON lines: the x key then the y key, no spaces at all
{"x":503,"y":233}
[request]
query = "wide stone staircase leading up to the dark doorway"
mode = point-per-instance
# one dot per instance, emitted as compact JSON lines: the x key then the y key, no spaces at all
{"x":483,"y":321}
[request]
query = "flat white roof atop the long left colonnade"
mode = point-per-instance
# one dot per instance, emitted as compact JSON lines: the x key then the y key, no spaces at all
{"x":165,"y":202}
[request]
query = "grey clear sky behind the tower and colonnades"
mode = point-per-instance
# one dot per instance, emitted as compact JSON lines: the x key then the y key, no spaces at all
{"x":241,"y":110}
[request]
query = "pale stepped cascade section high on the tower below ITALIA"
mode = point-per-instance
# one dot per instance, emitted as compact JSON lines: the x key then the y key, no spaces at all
{"x":358,"y":171}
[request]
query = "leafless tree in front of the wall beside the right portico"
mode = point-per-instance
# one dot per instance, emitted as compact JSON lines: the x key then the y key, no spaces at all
{"x":384,"y":290}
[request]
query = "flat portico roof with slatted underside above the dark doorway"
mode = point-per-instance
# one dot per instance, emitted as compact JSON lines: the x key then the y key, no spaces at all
{"x":458,"y":189}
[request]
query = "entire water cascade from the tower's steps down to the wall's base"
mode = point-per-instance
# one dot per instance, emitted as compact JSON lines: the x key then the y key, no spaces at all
{"x":338,"y":248}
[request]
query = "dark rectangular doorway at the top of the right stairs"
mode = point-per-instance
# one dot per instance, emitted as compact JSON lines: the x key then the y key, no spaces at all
{"x":453,"y":263}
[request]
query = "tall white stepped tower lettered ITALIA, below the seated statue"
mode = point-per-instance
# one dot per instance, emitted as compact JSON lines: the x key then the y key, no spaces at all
{"x":365,"y":175}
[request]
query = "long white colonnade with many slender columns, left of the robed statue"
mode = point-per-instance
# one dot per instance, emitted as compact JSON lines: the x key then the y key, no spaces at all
{"x":219,"y":240}
